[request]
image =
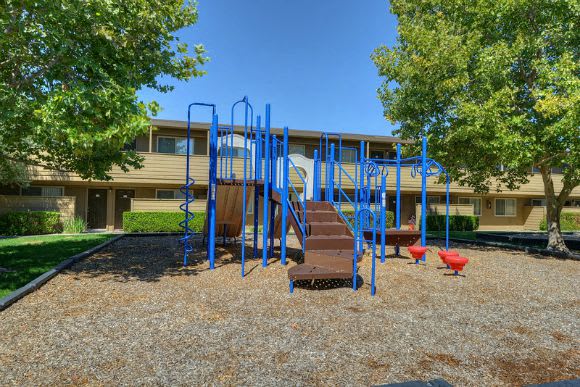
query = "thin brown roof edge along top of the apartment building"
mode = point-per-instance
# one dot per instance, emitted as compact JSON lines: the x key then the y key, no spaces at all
{"x":279,"y":131}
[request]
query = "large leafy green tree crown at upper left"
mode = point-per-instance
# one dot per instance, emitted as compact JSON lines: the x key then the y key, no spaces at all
{"x":69,"y":73}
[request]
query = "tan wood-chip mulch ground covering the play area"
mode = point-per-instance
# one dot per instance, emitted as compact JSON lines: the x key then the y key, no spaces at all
{"x":132,"y":314}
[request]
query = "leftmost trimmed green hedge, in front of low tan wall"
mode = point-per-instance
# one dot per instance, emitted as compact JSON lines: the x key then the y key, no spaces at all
{"x":30,"y":223}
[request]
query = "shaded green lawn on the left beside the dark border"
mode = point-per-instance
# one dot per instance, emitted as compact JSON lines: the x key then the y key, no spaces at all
{"x":28,"y":257}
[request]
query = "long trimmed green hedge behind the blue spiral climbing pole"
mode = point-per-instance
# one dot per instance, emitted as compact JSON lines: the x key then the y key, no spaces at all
{"x":160,"y":221}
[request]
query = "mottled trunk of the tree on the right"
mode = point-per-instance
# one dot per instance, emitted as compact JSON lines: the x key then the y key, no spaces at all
{"x":553,"y":211}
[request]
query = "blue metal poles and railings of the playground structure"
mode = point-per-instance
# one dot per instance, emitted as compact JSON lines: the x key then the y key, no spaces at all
{"x":268,"y":168}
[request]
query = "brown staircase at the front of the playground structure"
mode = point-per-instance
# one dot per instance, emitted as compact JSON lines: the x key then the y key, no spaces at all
{"x":329,"y":243}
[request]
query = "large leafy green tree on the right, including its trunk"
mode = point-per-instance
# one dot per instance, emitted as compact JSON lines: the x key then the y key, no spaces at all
{"x":492,"y":83}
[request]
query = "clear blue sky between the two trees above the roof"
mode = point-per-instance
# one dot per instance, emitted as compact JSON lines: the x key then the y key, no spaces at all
{"x":309,"y":58}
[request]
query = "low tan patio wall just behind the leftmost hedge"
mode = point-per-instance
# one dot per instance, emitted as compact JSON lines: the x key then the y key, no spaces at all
{"x":63,"y":204}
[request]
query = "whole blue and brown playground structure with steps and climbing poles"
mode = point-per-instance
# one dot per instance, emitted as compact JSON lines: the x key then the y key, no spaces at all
{"x":334,"y":230}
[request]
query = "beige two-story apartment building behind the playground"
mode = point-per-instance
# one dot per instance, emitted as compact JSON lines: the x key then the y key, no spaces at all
{"x":155,"y":187}
